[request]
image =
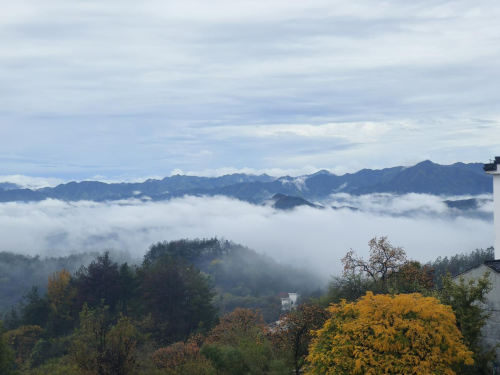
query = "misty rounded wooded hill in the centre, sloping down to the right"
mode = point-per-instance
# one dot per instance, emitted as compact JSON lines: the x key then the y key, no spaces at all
{"x":242,"y":277}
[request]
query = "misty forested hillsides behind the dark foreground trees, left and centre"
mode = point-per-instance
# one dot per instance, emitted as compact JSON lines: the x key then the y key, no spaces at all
{"x":240,"y":276}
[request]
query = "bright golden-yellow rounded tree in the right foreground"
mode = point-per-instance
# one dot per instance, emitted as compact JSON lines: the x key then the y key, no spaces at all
{"x":383,"y":334}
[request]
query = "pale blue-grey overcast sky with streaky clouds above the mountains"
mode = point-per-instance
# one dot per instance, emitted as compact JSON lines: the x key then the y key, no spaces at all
{"x":122,"y":89}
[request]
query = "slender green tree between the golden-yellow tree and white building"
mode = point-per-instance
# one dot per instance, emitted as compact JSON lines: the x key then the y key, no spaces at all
{"x":467,"y":299}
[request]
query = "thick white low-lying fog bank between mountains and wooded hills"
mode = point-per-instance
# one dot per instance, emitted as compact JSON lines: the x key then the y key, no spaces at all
{"x":307,"y":237}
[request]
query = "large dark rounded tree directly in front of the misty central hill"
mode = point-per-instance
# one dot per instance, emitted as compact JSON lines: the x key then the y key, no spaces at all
{"x":179,"y":298}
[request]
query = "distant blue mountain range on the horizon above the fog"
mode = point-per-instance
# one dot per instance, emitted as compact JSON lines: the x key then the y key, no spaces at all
{"x":425,"y":177}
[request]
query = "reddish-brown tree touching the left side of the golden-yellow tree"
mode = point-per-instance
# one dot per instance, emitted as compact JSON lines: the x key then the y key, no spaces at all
{"x":293,"y":333}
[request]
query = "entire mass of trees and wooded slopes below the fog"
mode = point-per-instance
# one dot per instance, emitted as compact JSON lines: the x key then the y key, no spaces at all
{"x":182,"y":310}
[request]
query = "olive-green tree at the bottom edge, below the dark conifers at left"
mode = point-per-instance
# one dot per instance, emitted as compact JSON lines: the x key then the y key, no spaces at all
{"x":102,"y":348}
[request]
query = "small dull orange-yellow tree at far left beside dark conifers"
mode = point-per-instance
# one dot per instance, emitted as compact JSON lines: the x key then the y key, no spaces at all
{"x":61,"y":294}
